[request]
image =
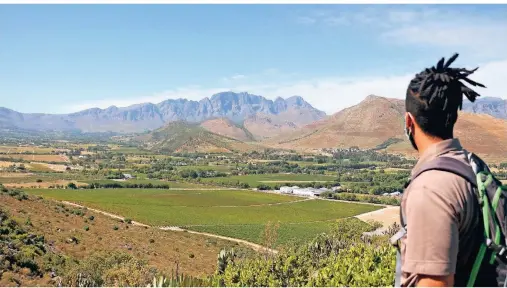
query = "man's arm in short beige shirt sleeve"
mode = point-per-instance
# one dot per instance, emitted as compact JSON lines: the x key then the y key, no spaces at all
{"x":432,"y":233}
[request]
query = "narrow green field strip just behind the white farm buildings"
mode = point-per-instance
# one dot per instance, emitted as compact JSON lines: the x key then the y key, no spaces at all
{"x":272,"y":179}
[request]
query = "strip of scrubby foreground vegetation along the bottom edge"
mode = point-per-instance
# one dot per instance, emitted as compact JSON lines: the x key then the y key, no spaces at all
{"x":341,"y":257}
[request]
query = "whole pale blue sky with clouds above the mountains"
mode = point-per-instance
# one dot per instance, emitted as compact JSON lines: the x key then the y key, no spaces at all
{"x":66,"y":58}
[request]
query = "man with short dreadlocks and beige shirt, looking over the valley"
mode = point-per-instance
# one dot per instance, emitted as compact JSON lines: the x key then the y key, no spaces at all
{"x":440,"y":212}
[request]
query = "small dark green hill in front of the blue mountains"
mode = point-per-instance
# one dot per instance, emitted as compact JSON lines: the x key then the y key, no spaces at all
{"x":182,"y":136}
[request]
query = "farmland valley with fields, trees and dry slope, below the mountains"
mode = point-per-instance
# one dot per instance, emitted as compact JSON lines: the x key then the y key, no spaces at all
{"x":222,"y":199}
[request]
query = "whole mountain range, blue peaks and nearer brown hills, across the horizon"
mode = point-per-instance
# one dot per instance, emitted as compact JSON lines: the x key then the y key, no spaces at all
{"x":240,"y":121}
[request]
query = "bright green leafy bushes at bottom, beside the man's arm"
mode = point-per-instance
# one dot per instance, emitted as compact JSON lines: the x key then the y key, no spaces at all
{"x":342,"y":258}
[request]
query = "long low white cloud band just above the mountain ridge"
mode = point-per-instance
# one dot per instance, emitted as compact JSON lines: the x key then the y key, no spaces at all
{"x":329,"y":94}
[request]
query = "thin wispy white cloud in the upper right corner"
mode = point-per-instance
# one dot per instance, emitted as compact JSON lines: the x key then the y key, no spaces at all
{"x":446,"y":27}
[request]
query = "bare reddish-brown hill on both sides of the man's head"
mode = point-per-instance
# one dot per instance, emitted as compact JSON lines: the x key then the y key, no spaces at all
{"x":377,"y":122}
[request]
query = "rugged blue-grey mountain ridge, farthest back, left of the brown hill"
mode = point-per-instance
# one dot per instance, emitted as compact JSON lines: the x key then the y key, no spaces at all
{"x":236,"y":107}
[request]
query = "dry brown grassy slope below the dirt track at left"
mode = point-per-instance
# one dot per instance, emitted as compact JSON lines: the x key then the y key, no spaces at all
{"x":168,"y":248}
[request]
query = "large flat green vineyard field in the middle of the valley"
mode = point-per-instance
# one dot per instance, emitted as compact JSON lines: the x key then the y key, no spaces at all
{"x":240,"y":214}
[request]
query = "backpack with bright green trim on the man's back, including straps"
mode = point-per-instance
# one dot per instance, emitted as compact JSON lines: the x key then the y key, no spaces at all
{"x":491,"y":196}
